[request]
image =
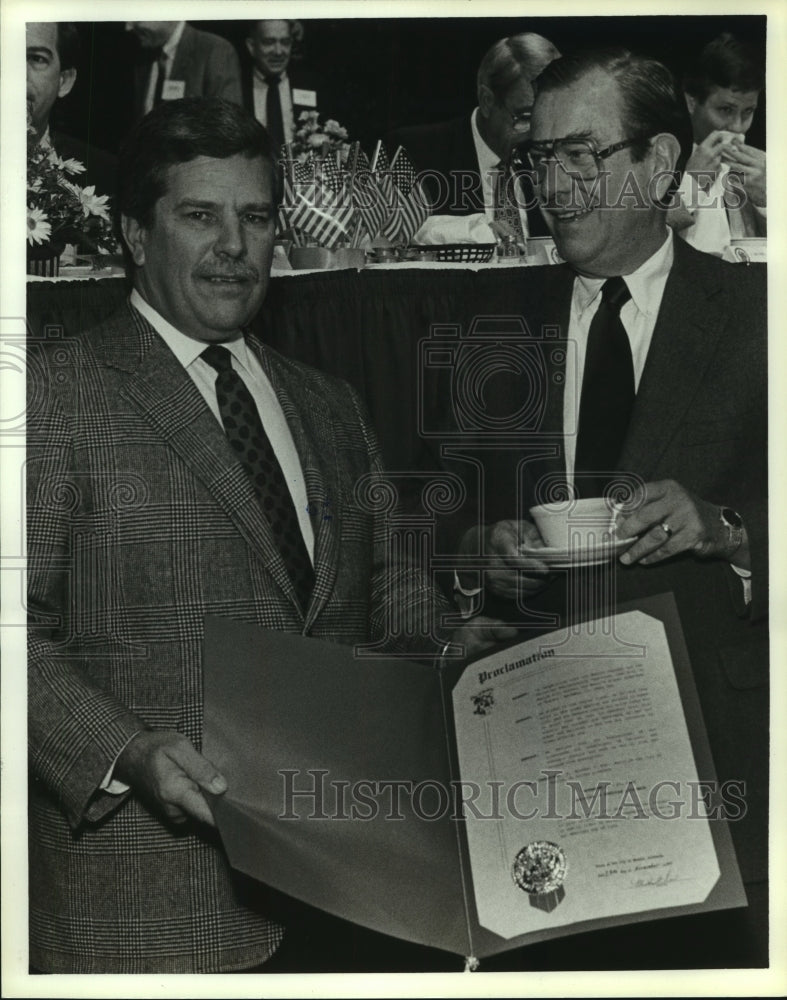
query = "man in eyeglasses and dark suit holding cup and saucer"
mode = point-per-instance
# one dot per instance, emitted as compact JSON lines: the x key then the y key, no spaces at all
{"x":661,"y":378}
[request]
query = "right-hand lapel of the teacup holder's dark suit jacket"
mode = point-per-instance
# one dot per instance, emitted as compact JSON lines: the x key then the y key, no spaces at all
{"x":684,"y":341}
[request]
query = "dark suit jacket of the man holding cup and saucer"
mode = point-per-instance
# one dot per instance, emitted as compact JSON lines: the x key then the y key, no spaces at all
{"x":700,"y":418}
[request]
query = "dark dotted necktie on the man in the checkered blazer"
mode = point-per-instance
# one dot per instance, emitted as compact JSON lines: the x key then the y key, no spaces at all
{"x":250,"y":443}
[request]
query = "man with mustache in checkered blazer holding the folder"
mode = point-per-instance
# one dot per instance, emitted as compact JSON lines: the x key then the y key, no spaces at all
{"x":178,"y":468}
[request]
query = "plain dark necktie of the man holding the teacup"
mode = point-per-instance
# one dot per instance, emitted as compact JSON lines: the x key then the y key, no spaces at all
{"x":607,"y":393}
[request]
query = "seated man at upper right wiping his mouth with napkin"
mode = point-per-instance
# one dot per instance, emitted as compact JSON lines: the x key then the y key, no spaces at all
{"x":724,"y":185}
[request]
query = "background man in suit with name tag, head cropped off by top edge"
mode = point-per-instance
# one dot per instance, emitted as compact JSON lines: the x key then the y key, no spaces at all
{"x":176,"y":60}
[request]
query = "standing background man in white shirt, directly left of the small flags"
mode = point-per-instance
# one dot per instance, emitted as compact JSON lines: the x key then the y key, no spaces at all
{"x":275,"y":88}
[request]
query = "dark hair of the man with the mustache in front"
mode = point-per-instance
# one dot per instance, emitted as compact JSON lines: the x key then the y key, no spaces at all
{"x":178,"y":132}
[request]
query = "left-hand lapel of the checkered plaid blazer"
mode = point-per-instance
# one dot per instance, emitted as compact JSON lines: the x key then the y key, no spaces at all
{"x":160,"y":389}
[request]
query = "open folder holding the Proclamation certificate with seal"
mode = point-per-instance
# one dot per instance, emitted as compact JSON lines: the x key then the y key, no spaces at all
{"x":556,"y":786}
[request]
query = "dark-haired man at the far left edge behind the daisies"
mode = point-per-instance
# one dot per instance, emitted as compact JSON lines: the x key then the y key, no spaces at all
{"x":52,"y":56}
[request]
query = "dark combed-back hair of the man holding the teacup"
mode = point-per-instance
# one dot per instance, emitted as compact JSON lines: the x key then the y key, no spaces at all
{"x":651,"y":101}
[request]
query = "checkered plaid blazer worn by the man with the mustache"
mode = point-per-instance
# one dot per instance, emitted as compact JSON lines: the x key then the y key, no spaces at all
{"x":140,"y":522}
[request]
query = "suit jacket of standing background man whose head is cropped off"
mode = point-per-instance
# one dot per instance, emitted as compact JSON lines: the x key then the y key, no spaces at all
{"x":207,"y":63}
